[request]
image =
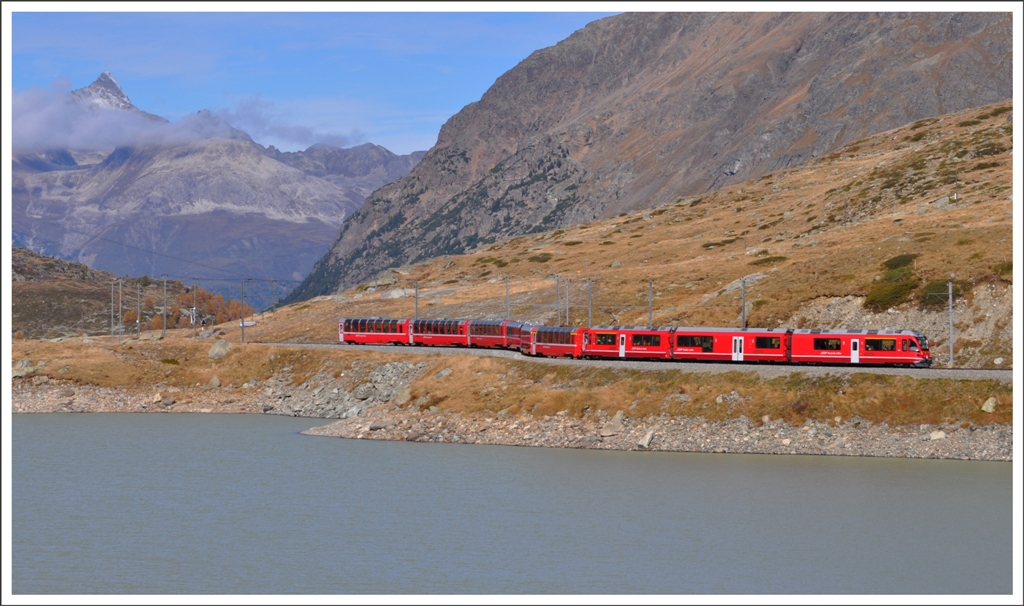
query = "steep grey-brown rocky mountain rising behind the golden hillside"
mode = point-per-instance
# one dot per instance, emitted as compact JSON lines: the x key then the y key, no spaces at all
{"x":642,"y":110}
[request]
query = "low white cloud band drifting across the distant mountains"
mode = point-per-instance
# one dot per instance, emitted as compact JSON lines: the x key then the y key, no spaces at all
{"x":53,"y":119}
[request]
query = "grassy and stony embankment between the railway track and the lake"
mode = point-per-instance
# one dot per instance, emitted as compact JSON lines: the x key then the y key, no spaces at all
{"x":498,"y":402}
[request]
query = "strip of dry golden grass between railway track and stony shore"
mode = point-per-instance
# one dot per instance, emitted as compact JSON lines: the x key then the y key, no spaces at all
{"x":487,"y":386}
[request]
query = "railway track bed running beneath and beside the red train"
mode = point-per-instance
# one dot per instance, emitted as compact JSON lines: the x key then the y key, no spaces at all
{"x":765,"y":371}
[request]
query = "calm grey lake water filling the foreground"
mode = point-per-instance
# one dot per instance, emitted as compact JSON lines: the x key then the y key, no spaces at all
{"x":242,"y":504}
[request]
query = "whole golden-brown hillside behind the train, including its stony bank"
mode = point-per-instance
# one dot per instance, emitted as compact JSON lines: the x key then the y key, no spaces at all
{"x":813,"y":245}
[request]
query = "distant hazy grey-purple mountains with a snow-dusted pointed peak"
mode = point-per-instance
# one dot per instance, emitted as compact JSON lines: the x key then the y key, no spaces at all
{"x":208,"y":201}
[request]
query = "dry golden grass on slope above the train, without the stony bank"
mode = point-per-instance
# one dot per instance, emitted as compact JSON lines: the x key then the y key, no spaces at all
{"x":827,"y":227}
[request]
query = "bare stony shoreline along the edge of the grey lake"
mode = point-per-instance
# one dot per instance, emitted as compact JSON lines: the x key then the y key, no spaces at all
{"x":378,"y":406}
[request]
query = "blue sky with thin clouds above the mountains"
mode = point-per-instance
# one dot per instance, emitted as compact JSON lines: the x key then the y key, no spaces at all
{"x":288,"y":78}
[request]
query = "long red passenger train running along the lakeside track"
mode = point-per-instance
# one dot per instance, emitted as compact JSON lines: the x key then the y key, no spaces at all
{"x":908,"y":349}
